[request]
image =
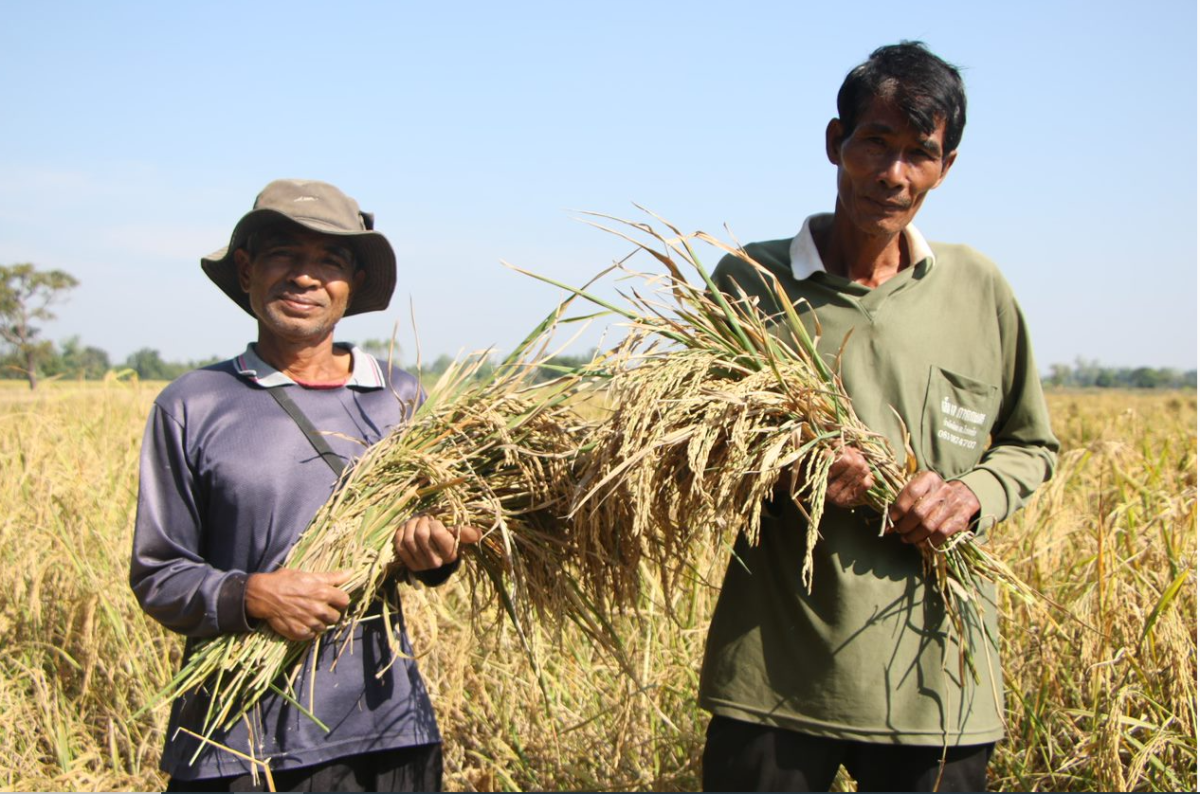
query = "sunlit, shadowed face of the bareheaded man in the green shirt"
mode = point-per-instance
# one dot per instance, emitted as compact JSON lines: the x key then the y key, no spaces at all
{"x":885,"y":167}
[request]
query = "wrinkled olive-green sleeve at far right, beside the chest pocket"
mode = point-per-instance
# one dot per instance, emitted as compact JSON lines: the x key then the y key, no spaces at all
{"x":1024,"y":450}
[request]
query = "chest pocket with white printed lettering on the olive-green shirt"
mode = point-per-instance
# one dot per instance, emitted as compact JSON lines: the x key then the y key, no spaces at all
{"x":956,"y":423}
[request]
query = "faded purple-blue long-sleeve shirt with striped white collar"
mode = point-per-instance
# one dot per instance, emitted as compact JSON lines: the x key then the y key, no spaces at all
{"x":229,"y":482}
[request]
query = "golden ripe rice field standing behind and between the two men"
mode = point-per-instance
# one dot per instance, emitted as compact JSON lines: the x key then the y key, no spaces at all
{"x":1101,"y":696}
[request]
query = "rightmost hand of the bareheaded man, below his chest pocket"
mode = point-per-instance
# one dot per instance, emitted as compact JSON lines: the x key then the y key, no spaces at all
{"x":931,"y":509}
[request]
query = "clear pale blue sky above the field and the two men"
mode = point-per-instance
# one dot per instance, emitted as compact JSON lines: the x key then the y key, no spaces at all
{"x":136,"y":135}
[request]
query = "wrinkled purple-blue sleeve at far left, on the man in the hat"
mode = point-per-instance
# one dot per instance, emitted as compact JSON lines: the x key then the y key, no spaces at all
{"x":169,"y":574}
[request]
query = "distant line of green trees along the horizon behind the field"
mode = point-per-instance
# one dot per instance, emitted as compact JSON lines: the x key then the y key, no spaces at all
{"x":28,"y":293}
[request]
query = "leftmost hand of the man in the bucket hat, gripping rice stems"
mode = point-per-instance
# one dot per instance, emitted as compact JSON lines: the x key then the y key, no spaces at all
{"x":296,"y":604}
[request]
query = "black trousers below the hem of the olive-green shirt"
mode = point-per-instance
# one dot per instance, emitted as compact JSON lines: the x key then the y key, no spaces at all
{"x":747,"y":757}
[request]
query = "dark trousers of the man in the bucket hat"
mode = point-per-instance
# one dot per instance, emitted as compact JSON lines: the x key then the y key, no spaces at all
{"x":409,"y":769}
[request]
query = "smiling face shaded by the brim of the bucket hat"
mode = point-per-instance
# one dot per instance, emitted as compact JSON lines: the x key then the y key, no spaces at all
{"x":299,"y":282}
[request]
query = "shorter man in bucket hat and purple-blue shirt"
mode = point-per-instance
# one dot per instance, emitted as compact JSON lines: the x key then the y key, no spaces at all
{"x":237,"y":459}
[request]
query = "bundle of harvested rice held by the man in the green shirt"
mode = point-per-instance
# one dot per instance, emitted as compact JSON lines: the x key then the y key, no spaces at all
{"x":715,"y":404}
